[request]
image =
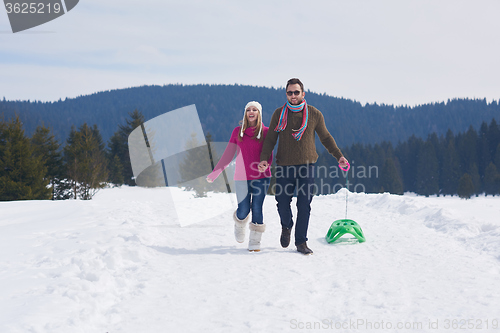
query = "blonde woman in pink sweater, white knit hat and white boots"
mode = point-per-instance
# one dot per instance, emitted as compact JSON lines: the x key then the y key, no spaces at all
{"x":251,"y":184}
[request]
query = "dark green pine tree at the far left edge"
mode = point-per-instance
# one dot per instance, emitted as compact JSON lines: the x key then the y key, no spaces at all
{"x":22,"y":173}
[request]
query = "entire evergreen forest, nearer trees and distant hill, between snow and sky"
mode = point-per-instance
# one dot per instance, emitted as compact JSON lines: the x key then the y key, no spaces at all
{"x":58,"y":150}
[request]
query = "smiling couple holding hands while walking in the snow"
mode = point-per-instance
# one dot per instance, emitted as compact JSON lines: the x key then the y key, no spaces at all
{"x":295,"y":124}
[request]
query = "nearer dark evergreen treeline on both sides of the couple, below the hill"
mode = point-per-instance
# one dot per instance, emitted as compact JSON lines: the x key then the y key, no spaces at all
{"x":40,"y":168}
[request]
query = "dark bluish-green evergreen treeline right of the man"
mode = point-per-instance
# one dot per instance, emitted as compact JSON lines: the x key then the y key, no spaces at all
{"x":465,"y":164}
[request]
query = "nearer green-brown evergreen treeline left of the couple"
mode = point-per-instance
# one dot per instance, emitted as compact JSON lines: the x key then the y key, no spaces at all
{"x":40,"y":168}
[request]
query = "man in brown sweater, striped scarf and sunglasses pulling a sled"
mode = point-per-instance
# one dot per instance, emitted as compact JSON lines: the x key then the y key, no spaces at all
{"x":296,"y":123}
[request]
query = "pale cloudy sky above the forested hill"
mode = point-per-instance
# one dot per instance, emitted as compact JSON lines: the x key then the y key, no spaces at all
{"x":386,"y":51}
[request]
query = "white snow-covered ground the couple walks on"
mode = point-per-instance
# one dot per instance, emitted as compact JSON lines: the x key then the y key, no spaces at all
{"x":122,"y":263}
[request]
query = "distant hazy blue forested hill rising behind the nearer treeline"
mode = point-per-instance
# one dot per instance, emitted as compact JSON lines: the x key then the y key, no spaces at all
{"x":220,"y":108}
